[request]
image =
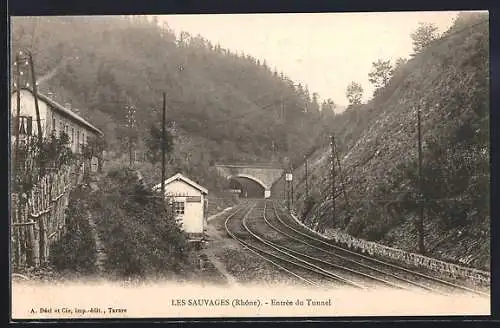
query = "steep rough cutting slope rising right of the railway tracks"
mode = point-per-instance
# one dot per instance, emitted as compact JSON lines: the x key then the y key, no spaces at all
{"x":449,"y":82}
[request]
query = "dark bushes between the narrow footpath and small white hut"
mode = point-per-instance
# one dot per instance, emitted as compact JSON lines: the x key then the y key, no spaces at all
{"x":139,"y":235}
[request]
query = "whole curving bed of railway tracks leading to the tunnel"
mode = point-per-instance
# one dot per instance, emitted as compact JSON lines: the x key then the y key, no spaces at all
{"x":302,"y":255}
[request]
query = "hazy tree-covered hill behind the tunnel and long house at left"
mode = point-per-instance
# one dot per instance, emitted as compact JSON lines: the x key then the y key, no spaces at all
{"x":221,"y":106}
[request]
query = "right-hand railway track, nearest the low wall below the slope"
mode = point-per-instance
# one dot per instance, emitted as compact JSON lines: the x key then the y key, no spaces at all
{"x":398,"y":275}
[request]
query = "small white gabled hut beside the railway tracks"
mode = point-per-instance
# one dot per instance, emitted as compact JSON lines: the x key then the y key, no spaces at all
{"x":189,"y":202}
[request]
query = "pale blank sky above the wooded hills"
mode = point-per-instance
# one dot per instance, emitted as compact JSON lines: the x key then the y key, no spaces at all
{"x":325,"y":51}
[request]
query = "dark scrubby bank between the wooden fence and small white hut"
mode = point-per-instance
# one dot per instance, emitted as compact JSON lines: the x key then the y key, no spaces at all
{"x":123,"y":210}
